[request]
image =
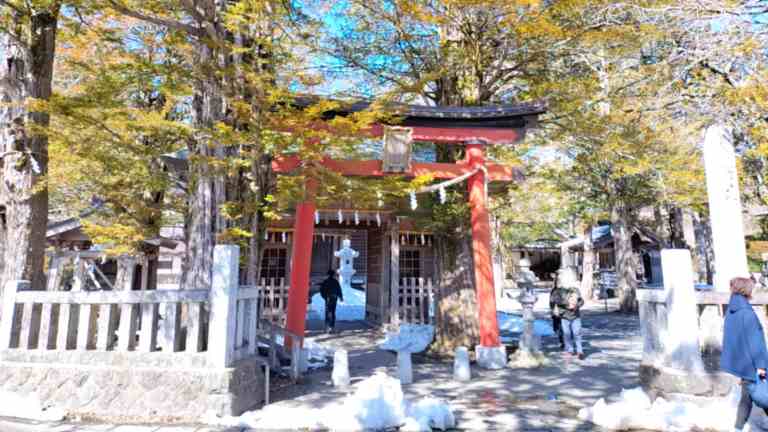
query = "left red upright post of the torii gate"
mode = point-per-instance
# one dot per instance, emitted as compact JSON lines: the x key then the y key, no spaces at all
{"x":301,"y":260}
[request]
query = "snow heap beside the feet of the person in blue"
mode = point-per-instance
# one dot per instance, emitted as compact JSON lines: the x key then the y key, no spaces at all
{"x":635,"y":410}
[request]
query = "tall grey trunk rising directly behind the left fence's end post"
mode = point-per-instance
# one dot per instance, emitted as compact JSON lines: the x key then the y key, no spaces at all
{"x":206,"y":192}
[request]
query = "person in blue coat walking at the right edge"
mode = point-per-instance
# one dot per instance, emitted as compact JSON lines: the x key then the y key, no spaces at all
{"x":744,"y":352}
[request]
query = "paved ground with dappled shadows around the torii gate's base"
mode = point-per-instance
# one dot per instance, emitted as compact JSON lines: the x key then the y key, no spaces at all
{"x":545,"y":399}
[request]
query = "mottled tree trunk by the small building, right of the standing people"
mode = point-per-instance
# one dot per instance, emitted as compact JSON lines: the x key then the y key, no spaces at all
{"x":625,"y":259}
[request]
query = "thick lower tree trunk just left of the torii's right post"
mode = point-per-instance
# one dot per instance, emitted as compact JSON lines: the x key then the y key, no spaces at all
{"x":456,"y":300}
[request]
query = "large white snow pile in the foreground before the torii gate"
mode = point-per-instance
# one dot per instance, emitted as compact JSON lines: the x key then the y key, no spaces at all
{"x":377,"y":403}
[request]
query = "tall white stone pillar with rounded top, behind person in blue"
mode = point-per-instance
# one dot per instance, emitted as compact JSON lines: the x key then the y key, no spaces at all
{"x":724,"y":207}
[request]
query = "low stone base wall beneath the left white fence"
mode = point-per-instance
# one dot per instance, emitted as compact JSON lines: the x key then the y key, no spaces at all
{"x":143,"y":394}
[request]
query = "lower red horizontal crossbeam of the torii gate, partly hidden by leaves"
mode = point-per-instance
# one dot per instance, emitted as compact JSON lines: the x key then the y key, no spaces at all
{"x":372,"y":168}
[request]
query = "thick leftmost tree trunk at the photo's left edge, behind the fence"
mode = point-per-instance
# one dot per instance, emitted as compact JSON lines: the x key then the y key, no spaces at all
{"x":26,"y":72}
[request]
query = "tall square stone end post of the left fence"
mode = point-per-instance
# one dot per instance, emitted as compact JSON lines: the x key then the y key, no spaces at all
{"x":226,"y":280}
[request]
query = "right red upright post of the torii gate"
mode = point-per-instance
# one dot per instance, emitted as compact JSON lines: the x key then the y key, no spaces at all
{"x":481,"y":250}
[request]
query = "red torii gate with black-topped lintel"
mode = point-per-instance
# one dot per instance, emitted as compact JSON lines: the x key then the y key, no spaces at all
{"x":473,"y":127}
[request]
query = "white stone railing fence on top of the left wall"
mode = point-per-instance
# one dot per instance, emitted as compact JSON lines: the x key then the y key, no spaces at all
{"x":204,"y":327}
